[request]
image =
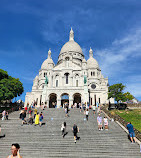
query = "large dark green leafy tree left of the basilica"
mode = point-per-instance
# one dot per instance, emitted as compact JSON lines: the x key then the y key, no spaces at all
{"x":10,"y":87}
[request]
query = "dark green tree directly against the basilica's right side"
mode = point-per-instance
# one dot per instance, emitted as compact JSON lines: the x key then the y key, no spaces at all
{"x":116,"y":91}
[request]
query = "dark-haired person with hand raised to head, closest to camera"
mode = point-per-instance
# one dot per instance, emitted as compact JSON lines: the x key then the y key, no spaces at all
{"x":15,"y":149}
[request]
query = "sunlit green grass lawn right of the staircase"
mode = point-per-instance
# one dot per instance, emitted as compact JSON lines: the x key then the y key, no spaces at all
{"x":133,"y":116}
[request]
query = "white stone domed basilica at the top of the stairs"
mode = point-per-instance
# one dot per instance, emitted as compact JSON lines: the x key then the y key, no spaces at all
{"x":67,"y":78}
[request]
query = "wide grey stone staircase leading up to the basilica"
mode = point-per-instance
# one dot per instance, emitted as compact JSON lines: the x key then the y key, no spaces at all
{"x":47,"y":141}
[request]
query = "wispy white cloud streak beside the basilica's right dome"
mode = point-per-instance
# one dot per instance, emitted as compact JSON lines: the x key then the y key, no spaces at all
{"x":114,"y":59}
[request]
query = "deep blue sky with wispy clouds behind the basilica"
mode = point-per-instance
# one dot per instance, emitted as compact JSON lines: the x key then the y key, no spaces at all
{"x":28,"y":28}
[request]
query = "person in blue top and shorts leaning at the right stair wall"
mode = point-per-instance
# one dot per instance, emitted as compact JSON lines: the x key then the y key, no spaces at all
{"x":131,"y":132}
